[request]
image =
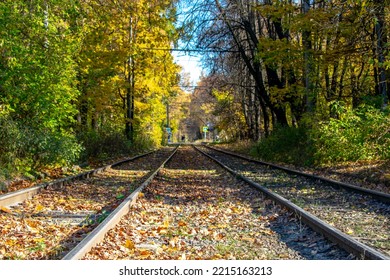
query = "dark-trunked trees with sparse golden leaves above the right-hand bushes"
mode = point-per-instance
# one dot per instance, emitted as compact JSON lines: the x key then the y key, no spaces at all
{"x":302,"y":58}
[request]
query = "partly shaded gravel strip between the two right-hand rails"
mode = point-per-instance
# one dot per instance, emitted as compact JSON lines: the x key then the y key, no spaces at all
{"x":363,"y":218}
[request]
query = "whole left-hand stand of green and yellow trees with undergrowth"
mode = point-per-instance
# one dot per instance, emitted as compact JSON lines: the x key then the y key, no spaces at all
{"x":74,"y":70}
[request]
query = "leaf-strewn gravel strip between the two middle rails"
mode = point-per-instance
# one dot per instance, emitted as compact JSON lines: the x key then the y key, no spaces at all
{"x":195,"y":210}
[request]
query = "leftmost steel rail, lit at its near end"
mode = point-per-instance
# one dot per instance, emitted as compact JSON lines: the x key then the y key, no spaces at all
{"x":13,"y":198}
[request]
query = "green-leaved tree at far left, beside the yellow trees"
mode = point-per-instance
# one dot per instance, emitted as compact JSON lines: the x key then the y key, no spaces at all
{"x":38,"y":71}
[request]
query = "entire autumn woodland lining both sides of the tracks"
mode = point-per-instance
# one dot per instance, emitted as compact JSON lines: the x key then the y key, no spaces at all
{"x":96,"y":78}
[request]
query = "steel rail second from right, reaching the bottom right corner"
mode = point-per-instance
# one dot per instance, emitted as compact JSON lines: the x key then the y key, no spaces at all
{"x":351,"y":245}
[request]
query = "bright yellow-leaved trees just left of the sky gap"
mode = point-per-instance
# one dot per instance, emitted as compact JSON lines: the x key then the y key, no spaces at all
{"x":135,"y":64}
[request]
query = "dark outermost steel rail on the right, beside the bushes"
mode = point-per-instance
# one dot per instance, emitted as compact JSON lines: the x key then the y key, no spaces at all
{"x":384,"y":197}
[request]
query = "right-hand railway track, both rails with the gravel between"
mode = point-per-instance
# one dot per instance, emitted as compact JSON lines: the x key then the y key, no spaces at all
{"x":358,"y":217}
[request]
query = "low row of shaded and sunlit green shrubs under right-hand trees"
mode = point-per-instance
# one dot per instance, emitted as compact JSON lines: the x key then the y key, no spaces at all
{"x":361,"y":134}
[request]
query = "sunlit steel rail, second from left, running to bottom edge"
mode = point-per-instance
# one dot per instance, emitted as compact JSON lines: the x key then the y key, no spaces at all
{"x":97,"y":234}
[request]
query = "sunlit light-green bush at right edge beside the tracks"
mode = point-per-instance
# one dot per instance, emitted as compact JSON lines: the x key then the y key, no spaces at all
{"x":362,"y":134}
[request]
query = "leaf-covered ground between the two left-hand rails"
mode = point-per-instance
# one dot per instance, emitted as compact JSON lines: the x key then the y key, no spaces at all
{"x":55,"y":220}
